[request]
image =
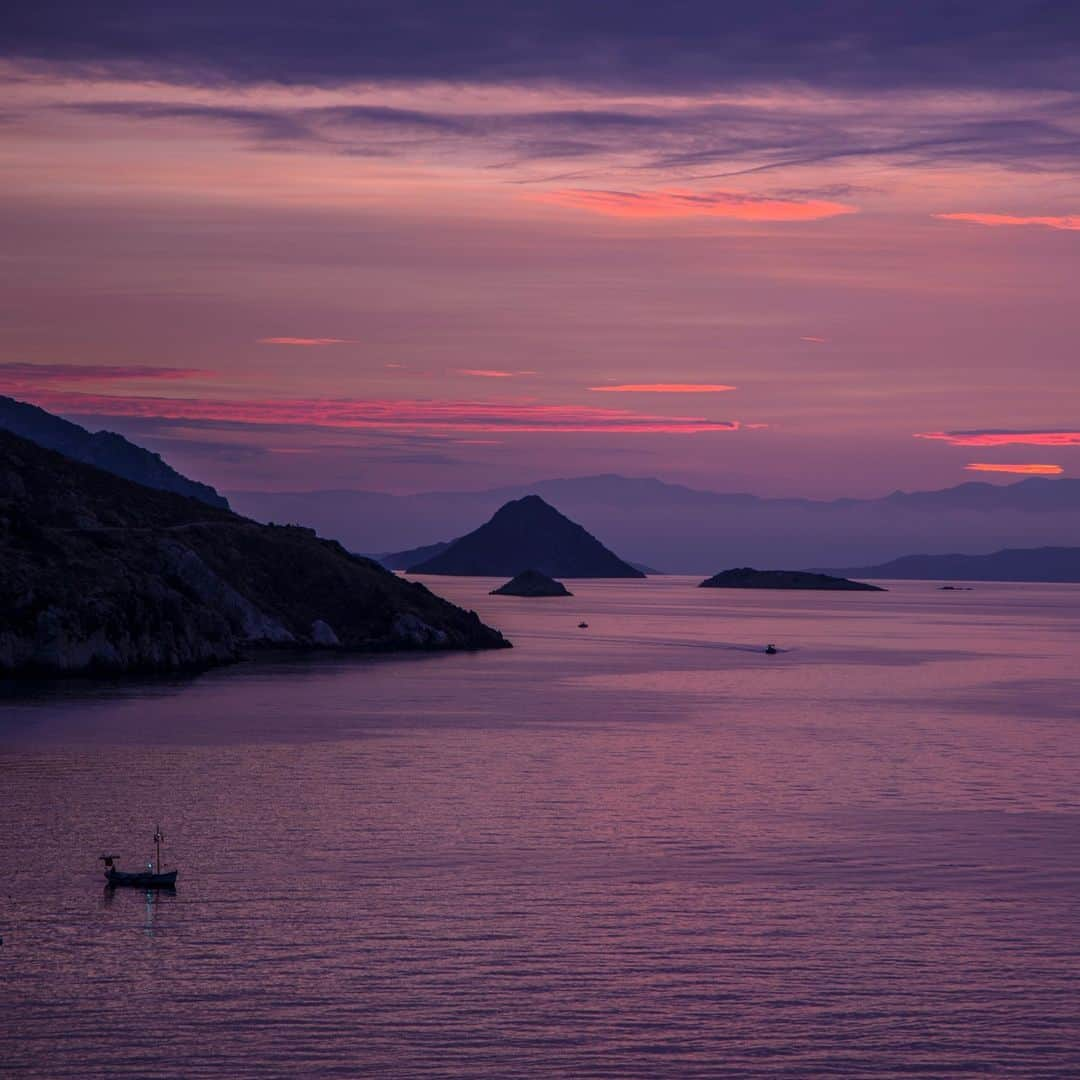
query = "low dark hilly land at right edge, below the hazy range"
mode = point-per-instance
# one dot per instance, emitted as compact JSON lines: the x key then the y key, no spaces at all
{"x":1012,"y":564}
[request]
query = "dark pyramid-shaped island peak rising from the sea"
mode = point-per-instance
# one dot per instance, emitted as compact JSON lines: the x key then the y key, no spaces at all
{"x":529,"y":534}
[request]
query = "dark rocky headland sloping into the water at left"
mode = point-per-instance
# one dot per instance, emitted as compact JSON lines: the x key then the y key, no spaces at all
{"x":102,"y":575}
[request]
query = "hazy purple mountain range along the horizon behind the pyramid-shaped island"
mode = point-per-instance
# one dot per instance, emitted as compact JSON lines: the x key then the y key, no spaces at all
{"x":683,"y":530}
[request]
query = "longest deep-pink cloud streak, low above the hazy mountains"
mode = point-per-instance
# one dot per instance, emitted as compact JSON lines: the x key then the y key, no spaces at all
{"x":380,"y":414}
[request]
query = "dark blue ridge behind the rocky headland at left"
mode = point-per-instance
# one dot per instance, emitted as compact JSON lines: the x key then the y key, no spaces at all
{"x":104,"y":450}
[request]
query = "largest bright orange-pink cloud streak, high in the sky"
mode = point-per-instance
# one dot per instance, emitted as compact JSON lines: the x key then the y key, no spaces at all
{"x":730,"y":205}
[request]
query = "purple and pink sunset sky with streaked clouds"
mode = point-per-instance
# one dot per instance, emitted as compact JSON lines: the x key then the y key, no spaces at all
{"x":822,"y":251}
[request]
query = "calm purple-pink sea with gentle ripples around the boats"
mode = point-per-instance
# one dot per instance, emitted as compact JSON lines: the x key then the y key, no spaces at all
{"x":643,"y":849}
